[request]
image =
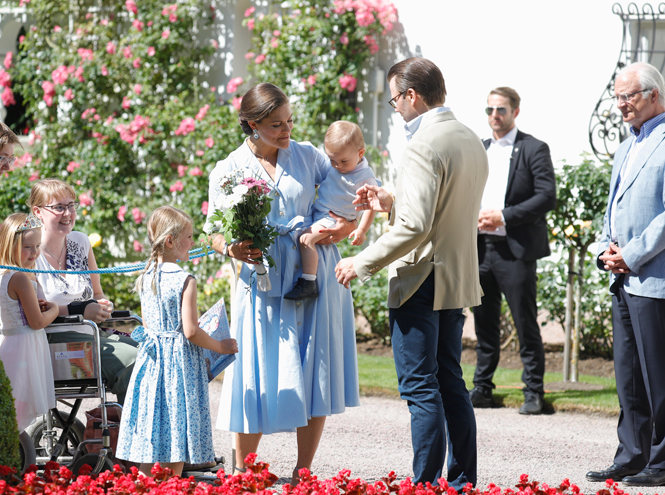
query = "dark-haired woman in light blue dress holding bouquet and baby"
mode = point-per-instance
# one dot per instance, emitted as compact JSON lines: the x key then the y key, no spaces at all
{"x":297,"y":362}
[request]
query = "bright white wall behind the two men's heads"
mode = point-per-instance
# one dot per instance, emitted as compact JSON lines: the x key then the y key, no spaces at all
{"x":559,"y":55}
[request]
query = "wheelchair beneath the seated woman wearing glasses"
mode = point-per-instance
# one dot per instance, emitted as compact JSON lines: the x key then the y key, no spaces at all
{"x":59,"y":435}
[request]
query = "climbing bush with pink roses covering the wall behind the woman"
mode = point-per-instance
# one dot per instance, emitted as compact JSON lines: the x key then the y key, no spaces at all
{"x":145,"y":122}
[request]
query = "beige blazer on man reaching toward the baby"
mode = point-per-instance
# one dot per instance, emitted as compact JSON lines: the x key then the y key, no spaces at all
{"x":434,"y":222}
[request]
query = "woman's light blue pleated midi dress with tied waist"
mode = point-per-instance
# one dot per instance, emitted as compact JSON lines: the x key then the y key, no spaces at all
{"x":296,"y":359}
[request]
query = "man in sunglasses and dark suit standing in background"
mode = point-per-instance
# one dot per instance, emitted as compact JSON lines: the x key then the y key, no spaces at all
{"x":512,"y":229}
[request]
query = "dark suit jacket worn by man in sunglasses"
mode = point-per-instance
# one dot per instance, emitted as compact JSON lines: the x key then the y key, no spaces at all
{"x":530,"y":194}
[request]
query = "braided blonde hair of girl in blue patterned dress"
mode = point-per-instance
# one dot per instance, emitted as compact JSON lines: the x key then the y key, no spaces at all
{"x":165,"y":221}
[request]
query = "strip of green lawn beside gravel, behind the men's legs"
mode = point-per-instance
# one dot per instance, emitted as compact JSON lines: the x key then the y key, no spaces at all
{"x":378,"y":377}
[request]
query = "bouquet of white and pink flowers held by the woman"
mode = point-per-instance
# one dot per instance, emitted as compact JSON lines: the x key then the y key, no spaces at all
{"x":244,"y":210}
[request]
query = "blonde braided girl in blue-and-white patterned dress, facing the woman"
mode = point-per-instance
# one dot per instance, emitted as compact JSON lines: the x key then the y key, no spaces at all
{"x":166,"y":417}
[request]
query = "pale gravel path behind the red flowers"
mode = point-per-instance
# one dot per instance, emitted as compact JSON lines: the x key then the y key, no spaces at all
{"x":375,"y":438}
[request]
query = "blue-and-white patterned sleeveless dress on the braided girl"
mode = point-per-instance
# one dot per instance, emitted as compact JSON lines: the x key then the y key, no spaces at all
{"x":166,"y":417}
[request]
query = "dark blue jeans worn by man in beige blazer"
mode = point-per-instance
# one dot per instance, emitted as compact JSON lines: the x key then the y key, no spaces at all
{"x":427,"y":347}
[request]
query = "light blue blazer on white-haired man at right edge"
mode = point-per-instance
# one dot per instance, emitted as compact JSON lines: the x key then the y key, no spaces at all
{"x":640,"y":217}
